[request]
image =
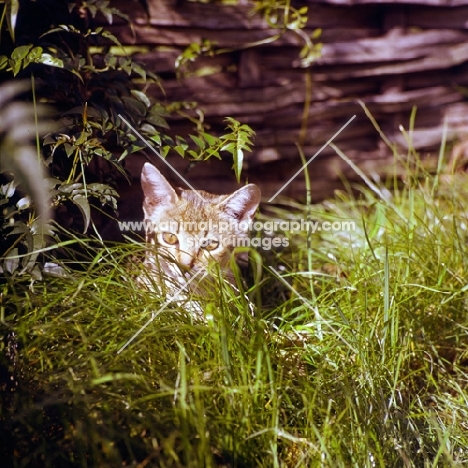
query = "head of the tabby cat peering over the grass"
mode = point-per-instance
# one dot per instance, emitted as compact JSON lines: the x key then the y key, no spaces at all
{"x":191,"y":229}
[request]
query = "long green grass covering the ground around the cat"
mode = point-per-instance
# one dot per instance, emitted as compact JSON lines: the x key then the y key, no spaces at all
{"x":363,"y":363}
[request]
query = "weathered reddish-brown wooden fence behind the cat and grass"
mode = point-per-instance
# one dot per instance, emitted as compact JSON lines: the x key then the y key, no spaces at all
{"x":389,"y":56}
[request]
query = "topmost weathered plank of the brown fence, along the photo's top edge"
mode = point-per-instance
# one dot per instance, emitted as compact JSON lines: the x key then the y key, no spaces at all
{"x":338,"y":15}
